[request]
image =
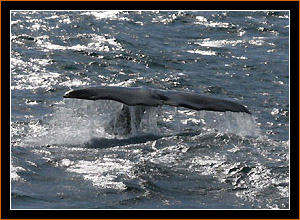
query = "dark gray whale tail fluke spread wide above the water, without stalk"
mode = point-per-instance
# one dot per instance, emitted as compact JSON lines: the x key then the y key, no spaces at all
{"x":154,"y":97}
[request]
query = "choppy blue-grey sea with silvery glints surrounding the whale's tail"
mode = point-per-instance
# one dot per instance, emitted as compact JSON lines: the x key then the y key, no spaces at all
{"x":62,"y":156}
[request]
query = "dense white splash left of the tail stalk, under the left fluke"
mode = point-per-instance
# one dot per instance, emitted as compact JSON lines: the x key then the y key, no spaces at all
{"x":75,"y":122}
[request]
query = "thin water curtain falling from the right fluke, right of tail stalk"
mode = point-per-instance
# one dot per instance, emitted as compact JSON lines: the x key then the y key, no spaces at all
{"x":180,"y":120}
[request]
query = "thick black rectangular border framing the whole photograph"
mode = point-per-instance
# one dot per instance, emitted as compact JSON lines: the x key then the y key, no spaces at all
{"x":293,"y":213}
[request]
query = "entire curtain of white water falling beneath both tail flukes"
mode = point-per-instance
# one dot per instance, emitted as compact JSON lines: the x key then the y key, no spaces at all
{"x":76,"y":122}
